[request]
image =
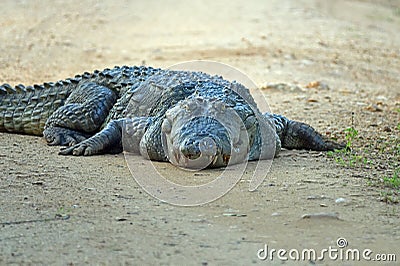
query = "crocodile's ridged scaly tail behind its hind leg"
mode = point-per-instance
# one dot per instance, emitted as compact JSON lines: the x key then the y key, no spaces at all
{"x":26,"y":109}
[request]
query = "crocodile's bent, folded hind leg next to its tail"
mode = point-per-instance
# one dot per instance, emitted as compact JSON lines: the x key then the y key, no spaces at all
{"x":83,"y":113}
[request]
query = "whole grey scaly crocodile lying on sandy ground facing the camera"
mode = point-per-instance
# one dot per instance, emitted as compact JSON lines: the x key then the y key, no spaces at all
{"x":191,"y":119}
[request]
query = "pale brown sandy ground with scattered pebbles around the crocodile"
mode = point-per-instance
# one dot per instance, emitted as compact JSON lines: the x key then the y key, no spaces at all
{"x":74,"y":211}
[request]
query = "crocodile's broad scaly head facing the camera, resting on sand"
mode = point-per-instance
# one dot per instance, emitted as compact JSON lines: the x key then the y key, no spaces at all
{"x":204,"y":132}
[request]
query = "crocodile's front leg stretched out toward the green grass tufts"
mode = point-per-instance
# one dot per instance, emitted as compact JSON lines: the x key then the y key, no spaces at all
{"x":298,"y":135}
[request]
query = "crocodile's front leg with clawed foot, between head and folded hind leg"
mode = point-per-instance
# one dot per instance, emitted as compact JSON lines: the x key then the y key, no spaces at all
{"x":118,"y":134}
